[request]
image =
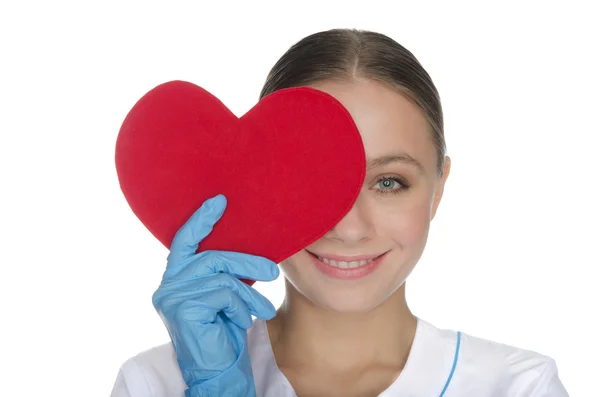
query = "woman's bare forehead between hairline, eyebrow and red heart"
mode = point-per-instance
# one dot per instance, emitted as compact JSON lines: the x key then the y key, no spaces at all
{"x":389,"y":123}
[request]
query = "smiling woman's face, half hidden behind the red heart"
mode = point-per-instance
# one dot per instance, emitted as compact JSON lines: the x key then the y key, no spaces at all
{"x":393,"y":210}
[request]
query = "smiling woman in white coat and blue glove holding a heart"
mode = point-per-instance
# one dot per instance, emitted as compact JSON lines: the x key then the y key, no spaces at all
{"x":345,"y":328}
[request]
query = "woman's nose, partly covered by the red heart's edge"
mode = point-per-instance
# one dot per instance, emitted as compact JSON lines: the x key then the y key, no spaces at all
{"x":355,"y":227}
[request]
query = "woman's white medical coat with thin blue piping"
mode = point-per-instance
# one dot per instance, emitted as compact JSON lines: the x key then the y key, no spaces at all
{"x":441,"y":362}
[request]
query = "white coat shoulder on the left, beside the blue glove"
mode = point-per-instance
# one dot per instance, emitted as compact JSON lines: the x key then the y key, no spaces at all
{"x":153,"y":372}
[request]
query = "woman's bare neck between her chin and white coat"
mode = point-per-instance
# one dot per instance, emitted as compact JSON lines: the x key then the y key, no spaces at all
{"x":305,"y":336}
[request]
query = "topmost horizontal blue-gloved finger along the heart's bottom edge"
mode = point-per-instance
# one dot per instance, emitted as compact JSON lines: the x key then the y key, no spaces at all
{"x":237,"y":264}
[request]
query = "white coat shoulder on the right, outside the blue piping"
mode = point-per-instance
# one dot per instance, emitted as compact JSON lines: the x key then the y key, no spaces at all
{"x":493,"y":367}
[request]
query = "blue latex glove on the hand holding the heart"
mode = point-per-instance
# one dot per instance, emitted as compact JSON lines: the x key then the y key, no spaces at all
{"x":207,"y":310}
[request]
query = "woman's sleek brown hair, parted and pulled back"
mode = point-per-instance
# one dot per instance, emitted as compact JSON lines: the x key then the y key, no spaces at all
{"x":342,"y":54}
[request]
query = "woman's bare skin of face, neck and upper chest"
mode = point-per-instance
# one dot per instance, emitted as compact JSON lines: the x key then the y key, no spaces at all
{"x":358,"y":333}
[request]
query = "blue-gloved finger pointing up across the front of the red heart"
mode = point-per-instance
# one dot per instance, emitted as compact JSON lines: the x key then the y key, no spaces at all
{"x":197,"y":227}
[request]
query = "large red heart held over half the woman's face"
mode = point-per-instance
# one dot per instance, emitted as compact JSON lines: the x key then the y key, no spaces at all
{"x":290,"y":168}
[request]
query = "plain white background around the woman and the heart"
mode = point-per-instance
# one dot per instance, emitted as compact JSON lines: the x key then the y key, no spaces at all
{"x":512,"y":254}
